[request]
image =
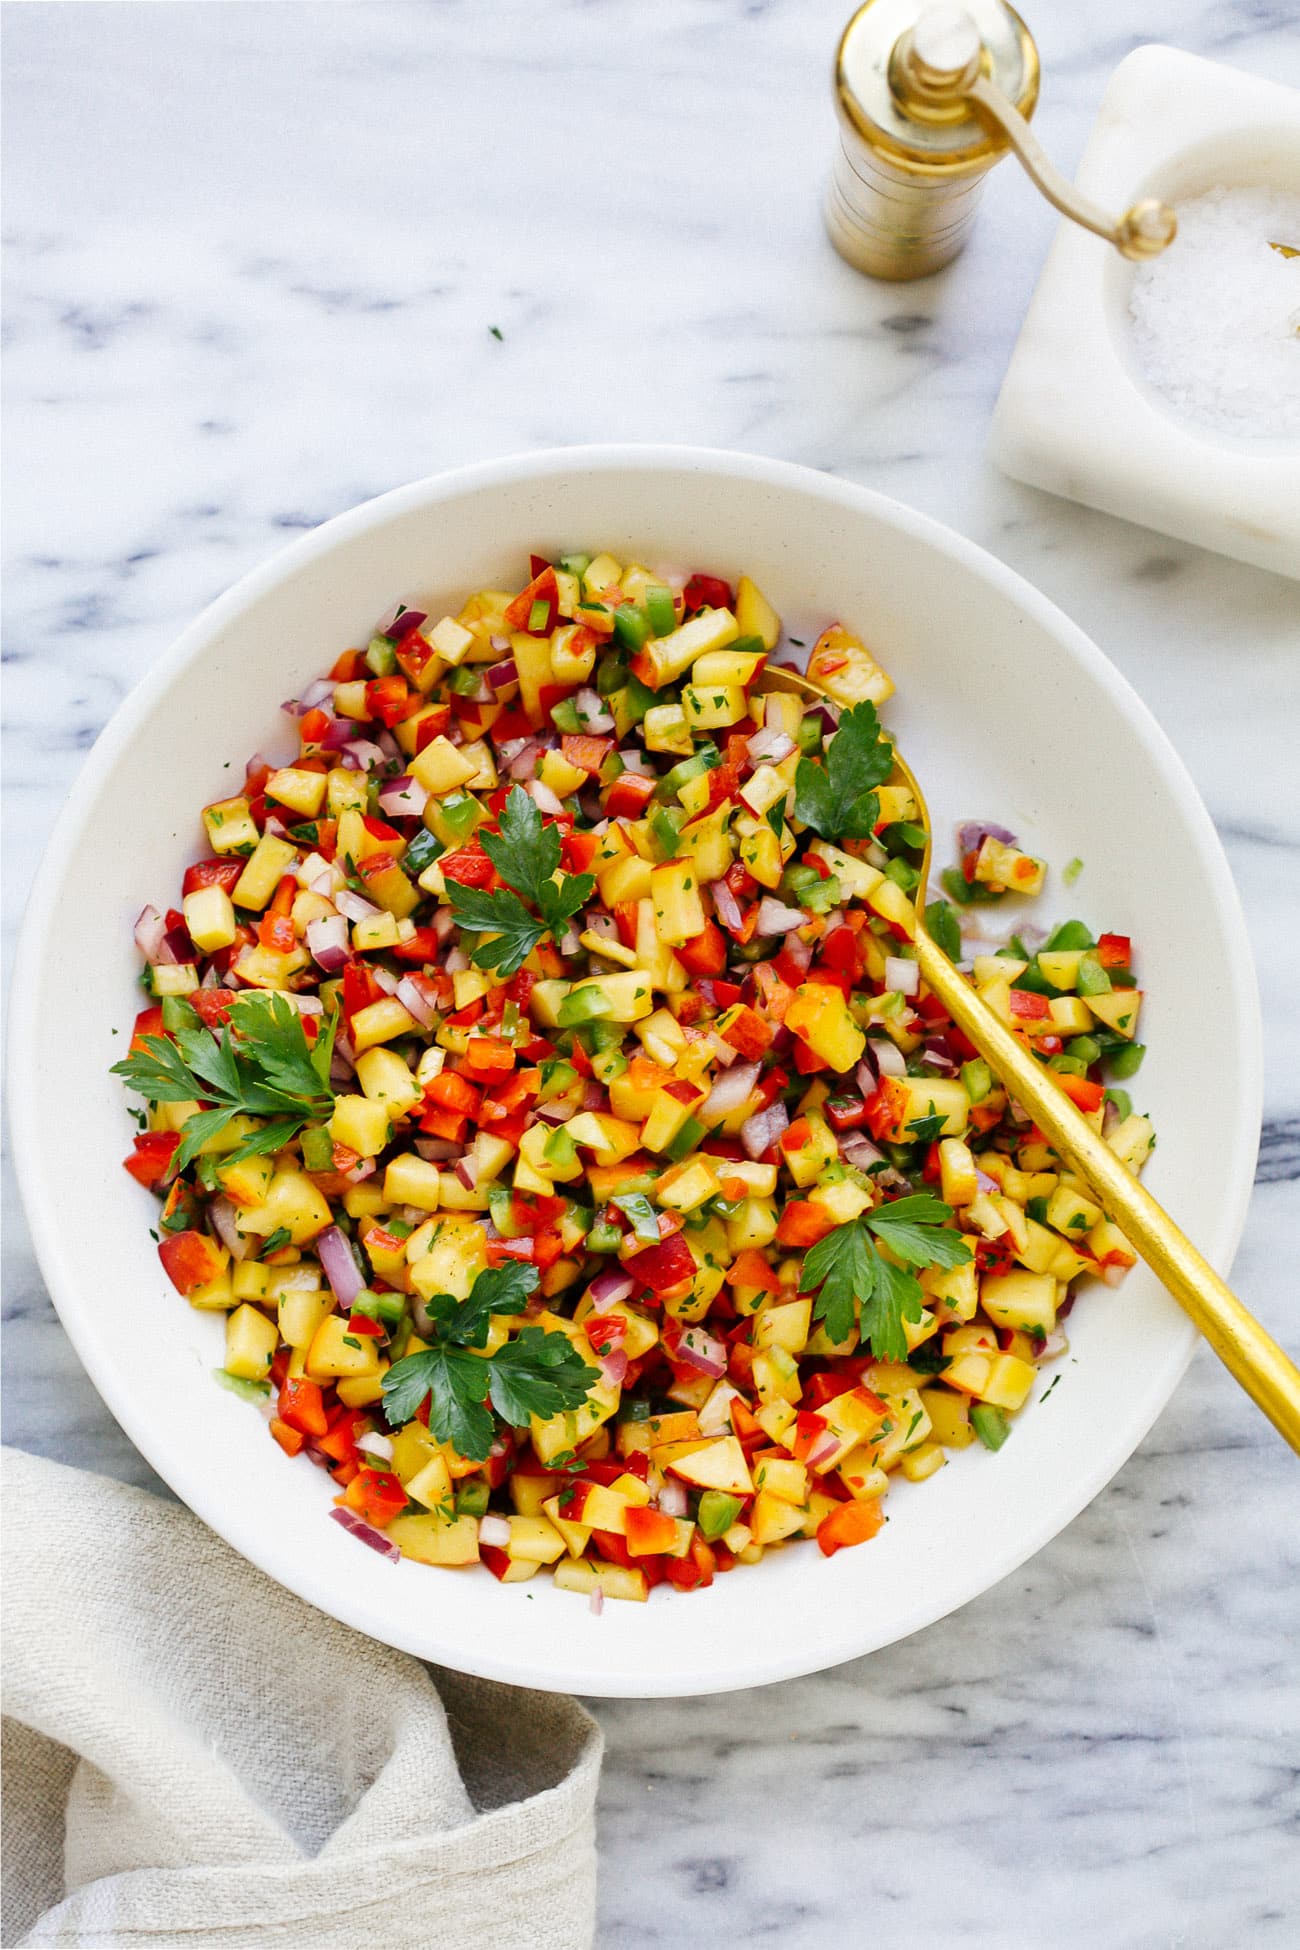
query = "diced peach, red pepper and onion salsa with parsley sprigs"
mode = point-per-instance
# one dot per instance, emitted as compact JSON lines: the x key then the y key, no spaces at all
{"x":541,"y":1081}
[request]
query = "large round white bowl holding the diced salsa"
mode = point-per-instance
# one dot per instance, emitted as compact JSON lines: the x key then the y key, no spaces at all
{"x":1007,"y":713}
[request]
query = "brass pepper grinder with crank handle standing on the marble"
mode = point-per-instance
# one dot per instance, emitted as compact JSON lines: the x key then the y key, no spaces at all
{"x":931,"y":98}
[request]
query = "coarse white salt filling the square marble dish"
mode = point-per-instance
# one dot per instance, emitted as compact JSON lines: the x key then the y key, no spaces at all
{"x":1217,"y":317}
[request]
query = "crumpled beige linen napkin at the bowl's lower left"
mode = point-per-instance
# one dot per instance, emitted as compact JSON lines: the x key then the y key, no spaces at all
{"x":196,"y":1758}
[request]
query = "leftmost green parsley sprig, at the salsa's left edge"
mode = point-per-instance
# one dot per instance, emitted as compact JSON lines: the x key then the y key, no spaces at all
{"x":260,"y":1066}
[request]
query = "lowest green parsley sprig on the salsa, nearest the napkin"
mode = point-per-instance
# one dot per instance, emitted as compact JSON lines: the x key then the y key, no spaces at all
{"x":535,"y":1374}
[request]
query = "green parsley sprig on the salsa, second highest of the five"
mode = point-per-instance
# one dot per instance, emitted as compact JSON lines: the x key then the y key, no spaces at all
{"x":525,"y":855}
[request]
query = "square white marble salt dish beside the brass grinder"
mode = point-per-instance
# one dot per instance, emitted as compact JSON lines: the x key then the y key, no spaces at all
{"x":1075,"y":414}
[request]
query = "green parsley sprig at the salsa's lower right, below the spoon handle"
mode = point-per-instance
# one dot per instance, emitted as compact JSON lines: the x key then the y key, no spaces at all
{"x":859,"y":1282}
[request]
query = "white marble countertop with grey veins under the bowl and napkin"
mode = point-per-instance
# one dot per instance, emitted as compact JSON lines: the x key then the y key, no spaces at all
{"x":254,"y":262}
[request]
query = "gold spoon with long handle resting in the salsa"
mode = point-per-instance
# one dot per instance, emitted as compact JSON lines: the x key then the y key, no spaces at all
{"x":1248,"y":1352}
